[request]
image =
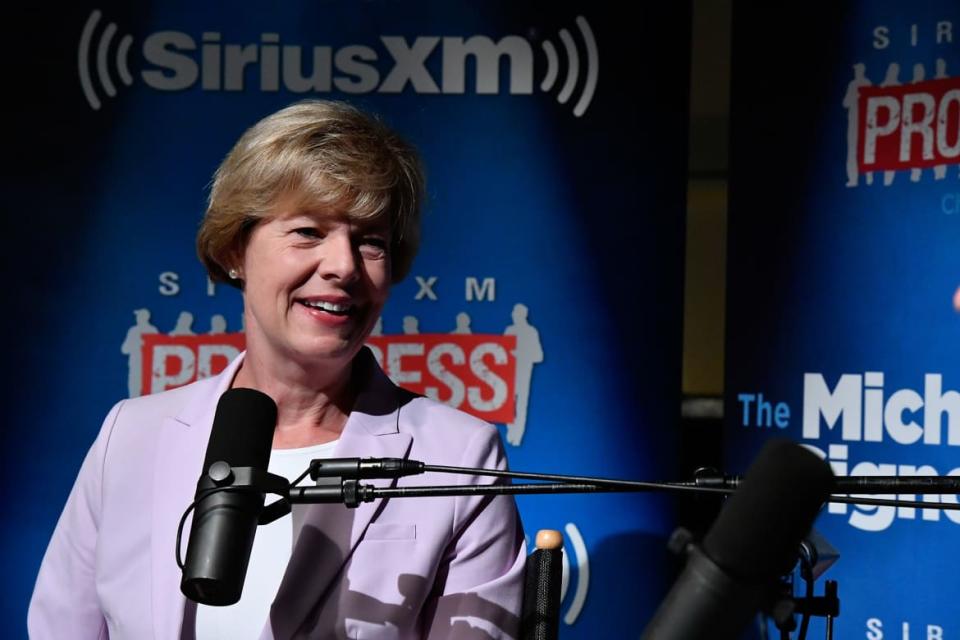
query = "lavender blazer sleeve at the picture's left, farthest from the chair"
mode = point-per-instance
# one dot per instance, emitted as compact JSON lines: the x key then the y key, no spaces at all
{"x":65,"y":602}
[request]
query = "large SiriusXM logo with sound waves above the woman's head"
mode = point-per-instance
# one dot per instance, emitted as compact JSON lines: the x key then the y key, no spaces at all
{"x":176,"y":61}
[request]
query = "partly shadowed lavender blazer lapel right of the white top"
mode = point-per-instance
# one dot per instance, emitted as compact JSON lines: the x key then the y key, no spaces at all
{"x":327,"y":534}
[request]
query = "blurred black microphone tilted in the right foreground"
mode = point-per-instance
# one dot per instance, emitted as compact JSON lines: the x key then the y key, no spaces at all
{"x":755,"y":540}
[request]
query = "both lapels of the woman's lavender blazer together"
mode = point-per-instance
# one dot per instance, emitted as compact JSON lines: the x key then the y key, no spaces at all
{"x":372,"y":430}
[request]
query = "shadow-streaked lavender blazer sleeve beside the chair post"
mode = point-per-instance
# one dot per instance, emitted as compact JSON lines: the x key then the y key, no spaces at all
{"x":479,"y":586}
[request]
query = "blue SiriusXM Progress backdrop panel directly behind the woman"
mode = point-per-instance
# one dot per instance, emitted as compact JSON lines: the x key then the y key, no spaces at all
{"x":546,"y":298}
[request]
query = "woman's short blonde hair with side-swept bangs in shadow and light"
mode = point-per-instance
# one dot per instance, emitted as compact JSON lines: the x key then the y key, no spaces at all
{"x":331,"y":156}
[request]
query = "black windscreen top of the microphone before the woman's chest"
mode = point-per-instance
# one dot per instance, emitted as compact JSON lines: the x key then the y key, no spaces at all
{"x":243,"y":427}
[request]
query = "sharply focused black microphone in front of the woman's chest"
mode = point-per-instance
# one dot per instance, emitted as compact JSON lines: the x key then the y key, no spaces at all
{"x":225,"y":522}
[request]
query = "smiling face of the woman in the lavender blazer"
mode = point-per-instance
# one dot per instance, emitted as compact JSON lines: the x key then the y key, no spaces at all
{"x":314,"y":284}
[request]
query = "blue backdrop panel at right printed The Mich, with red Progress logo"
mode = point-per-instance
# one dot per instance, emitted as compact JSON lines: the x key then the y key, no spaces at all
{"x":843,"y":331}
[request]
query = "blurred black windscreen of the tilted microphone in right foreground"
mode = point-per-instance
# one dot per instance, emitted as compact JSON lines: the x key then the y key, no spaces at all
{"x":757,"y":535}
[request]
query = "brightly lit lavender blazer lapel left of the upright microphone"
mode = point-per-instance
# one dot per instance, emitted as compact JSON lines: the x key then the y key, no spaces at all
{"x":181,"y":449}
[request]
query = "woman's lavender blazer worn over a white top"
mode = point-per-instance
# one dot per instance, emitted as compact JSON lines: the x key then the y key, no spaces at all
{"x":401,"y":568}
